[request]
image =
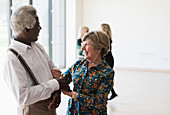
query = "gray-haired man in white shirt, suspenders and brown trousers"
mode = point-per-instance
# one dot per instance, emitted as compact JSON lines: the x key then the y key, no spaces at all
{"x":32,"y":99}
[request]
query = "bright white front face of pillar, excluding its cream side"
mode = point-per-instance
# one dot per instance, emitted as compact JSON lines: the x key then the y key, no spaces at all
{"x":70,"y":32}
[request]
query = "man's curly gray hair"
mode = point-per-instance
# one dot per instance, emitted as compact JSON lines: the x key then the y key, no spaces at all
{"x":23,"y":17}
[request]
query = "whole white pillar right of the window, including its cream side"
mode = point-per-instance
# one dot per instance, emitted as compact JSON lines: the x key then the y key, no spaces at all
{"x":74,"y":19}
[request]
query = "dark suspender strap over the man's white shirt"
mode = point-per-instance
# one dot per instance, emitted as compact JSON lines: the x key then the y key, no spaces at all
{"x":25,"y":65}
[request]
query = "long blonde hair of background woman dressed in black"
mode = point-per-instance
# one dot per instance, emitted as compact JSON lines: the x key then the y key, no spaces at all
{"x":106,"y":28}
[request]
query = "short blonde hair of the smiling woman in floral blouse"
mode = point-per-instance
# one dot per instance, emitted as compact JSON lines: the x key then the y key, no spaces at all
{"x":99,"y":40}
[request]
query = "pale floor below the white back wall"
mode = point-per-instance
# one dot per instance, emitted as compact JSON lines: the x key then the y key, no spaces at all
{"x":140,"y":93}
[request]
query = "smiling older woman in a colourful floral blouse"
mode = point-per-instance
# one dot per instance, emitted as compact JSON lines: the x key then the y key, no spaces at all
{"x":92,"y":77}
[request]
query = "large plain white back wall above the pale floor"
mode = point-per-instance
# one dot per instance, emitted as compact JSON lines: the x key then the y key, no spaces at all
{"x":140,"y":28}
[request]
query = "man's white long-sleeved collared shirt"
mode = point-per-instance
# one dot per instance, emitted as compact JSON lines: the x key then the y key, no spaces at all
{"x":18,"y":80}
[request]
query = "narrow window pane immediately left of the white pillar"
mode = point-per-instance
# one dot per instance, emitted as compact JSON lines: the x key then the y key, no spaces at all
{"x":58,"y":35}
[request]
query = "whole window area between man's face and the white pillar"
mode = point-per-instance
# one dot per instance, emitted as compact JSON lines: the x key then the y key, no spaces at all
{"x":52,"y":36}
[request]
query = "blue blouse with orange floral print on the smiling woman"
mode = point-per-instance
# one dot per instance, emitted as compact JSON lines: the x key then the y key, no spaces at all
{"x":92,"y":86}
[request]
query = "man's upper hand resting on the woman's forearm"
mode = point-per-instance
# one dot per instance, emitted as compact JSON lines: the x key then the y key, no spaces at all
{"x":64,"y":85}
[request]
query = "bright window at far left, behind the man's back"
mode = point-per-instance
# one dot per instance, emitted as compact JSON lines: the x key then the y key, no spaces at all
{"x":6,"y":96}
